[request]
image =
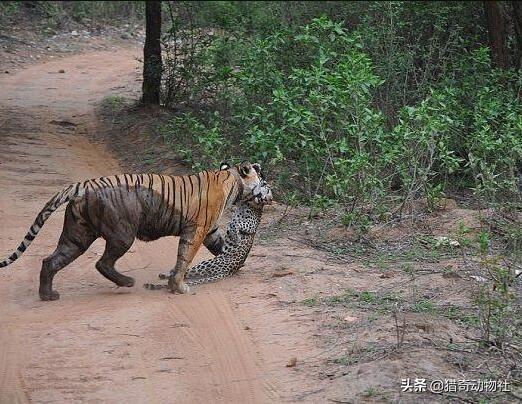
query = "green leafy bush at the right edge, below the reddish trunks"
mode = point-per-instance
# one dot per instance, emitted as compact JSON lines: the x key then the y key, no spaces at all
{"x":467,"y":128}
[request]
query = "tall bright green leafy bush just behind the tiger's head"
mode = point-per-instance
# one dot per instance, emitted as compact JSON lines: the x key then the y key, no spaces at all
{"x":315,"y":117}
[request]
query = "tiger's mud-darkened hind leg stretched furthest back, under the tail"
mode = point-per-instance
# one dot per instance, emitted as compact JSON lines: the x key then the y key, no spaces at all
{"x":75,"y":239}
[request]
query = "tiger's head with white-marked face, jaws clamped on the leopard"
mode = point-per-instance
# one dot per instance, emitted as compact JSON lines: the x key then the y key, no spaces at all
{"x":255,"y":188}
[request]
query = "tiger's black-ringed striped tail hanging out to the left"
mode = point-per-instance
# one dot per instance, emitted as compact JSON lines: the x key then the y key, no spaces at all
{"x":71,"y":192}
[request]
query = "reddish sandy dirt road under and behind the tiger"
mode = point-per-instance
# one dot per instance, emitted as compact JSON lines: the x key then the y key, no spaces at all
{"x":98,"y":342}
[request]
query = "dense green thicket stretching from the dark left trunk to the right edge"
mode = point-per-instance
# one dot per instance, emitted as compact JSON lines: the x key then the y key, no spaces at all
{"x":362,"y":106}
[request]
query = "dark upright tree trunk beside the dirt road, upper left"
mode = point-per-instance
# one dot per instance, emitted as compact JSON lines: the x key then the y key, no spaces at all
{"x":152,"y":54}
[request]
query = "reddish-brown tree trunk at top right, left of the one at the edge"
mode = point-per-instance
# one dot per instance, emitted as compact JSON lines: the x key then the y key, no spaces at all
{"x":497,"y":33}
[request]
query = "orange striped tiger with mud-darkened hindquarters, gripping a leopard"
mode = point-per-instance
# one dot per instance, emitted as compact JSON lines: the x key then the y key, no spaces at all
{"x":124,"y":207}
